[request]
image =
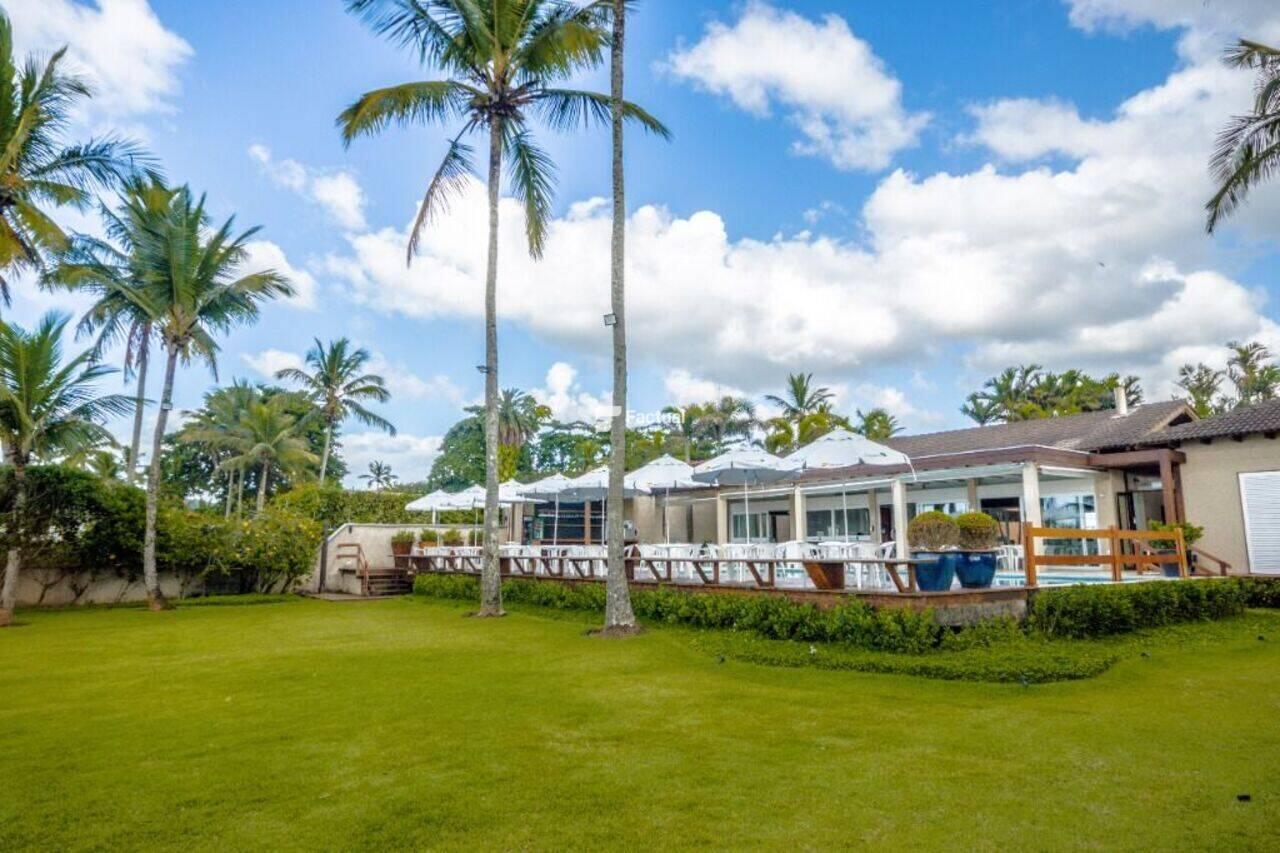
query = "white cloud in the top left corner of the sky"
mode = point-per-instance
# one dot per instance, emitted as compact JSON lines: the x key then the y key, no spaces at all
{"x":125,"y":51}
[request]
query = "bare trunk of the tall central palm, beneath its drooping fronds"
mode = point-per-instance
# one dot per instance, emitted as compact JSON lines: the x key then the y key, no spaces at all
{"x":491,"y":580}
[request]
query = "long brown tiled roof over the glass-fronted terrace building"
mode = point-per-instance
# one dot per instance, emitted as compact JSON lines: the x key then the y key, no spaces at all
{"x":1087,"y":432}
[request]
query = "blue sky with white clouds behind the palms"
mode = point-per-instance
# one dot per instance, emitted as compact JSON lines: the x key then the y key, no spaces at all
{"x":898,"y":203}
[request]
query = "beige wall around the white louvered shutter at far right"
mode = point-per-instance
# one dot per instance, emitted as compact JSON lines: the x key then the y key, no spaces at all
{"x":1212,"y":490}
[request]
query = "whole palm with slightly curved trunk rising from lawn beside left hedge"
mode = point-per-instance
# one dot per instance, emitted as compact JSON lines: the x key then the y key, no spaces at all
{"x":193,"y":289}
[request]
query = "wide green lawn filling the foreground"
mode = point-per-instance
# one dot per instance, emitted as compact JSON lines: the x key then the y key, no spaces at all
{"x":401,"y":723}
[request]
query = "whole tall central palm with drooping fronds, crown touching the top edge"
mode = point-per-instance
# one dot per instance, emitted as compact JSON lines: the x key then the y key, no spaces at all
{"x":501,"y":60}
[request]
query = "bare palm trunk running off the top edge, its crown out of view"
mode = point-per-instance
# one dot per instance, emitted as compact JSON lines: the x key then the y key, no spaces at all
{"x":619,"y":617}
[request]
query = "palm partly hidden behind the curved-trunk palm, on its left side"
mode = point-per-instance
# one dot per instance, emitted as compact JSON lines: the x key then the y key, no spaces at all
{"x":109,"y":272}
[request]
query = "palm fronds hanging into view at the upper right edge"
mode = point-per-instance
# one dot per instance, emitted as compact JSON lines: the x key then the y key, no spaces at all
{"x":1249,"y":148}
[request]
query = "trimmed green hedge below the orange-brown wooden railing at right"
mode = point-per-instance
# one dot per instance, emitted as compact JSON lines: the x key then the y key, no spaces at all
{"x":1100,"y":610}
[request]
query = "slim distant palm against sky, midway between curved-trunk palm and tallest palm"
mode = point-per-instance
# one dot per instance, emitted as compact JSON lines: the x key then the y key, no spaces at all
{"x":339,"y":387}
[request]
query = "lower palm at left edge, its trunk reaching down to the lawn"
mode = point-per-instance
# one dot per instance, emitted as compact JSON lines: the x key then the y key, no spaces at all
{"x":47,"y":408}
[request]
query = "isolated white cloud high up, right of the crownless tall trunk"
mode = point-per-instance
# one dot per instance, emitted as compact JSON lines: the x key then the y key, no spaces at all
{"x":834,"y":88}
